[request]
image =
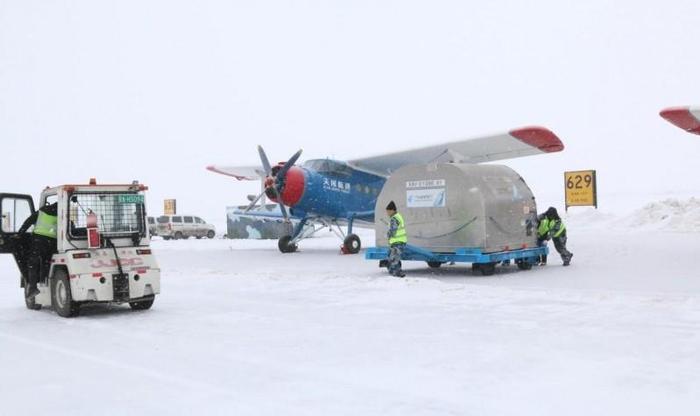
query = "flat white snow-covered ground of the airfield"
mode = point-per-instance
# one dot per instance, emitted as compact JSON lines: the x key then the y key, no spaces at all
{"x":242,"y":329}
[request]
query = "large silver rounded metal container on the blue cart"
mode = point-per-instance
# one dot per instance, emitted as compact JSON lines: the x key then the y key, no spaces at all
{"x":450,"y":205}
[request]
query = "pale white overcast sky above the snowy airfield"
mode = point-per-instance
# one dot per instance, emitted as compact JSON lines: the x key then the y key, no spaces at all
{"x":157,"y":90}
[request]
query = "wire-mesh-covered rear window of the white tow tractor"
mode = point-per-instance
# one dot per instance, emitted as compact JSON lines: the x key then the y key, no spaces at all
{"x":119,"y":213}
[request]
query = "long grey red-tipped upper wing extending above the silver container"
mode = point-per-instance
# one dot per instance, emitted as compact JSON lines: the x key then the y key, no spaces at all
{"x":520,"y":142}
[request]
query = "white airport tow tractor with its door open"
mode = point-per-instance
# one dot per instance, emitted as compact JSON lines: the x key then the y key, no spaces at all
{"x":102,"y":253}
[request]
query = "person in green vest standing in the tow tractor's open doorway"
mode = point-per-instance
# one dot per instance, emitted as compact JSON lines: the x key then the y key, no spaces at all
{"x":45,"y":222}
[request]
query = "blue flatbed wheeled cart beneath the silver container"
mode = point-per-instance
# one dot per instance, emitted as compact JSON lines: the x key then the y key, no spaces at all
{"x":484,"y":262}
